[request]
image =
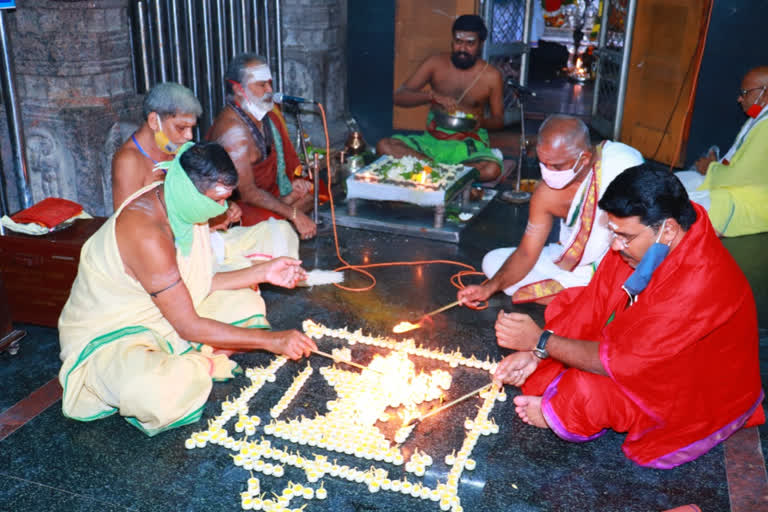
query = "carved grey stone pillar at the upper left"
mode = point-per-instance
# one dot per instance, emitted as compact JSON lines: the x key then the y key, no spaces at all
{"x":75,"y":83}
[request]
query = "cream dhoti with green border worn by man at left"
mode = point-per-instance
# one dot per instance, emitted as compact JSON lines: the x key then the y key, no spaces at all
{"x":121,"y":355}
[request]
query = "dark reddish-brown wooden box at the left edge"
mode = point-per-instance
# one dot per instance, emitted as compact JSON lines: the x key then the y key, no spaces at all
{"x":39,"y":270}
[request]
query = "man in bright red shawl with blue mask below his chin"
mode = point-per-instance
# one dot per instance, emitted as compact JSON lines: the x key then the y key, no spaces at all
{"x":669,"y":356}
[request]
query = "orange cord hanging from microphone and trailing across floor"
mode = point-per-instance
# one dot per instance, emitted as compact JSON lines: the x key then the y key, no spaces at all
{"x":456,"y":279}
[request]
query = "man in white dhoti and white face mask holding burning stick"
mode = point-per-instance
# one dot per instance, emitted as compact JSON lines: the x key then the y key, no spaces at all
{"x":574,"y":176}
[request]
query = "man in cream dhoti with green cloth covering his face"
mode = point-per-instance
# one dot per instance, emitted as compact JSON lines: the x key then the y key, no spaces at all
{"x":149,"y":323}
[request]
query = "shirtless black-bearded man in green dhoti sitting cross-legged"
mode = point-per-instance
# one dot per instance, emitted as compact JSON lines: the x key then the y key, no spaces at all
{"x":460,"y":84}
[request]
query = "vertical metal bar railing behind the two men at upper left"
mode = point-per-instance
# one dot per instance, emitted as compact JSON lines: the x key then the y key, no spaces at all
{"x":192,"y":41}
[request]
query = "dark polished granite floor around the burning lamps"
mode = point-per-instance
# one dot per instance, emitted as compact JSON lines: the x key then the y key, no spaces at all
{"x":53,"y":463}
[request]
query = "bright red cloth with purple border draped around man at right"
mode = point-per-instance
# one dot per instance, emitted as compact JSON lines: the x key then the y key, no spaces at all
{"x":684,"y":357}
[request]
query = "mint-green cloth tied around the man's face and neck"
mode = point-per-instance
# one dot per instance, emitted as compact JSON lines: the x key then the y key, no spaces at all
{"x":186,"y":205}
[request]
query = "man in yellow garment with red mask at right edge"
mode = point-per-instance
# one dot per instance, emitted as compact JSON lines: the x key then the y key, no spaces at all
{"x":734,"y":188}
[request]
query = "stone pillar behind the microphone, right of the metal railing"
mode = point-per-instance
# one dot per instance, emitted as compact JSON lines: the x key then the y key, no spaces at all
{"x":315,"y":61}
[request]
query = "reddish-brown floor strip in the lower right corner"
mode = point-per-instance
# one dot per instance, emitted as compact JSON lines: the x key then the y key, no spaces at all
{"x":735,"y":458}
